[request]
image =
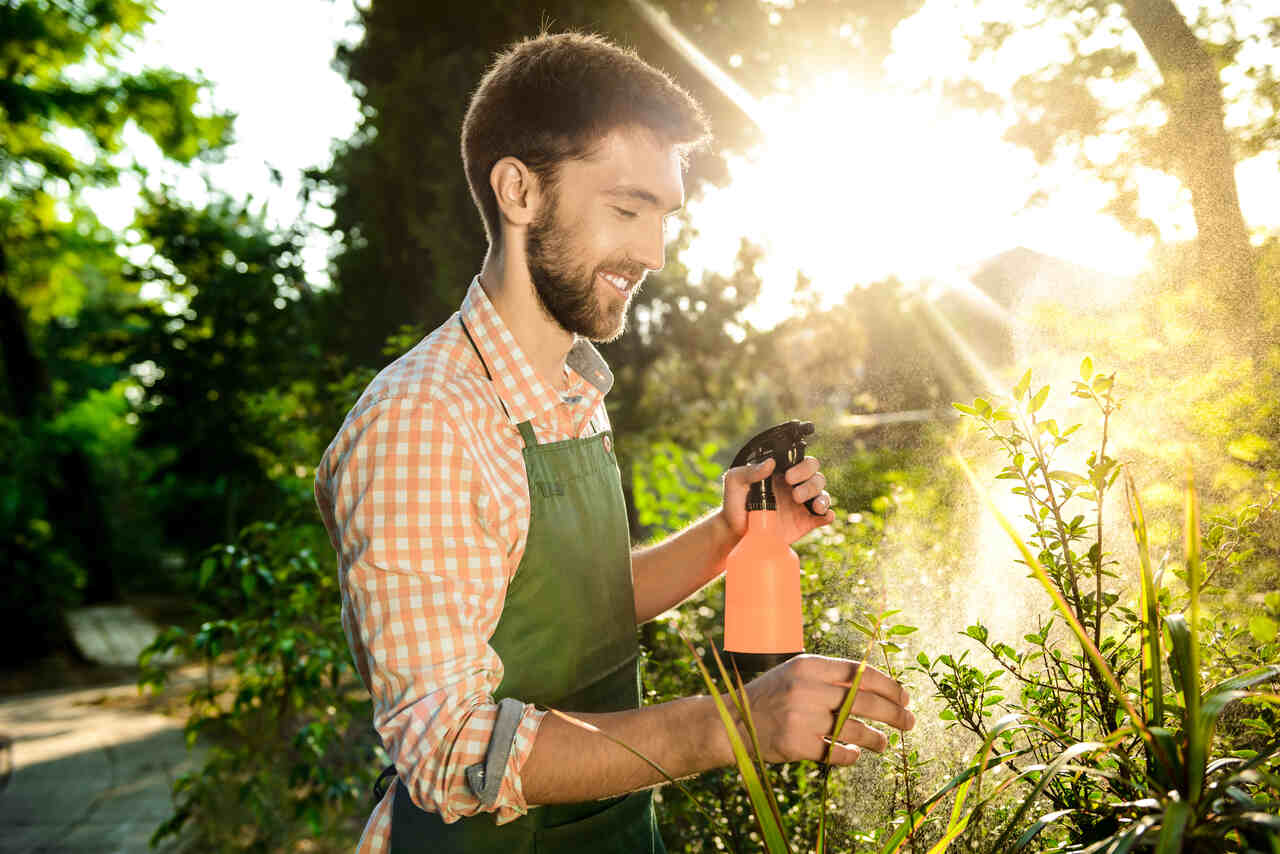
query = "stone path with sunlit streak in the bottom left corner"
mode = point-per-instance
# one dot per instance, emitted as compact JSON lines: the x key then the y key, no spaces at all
{"x":92,"y":769}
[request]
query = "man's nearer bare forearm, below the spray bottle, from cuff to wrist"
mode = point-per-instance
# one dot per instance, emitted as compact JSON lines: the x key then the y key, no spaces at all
{"x":569,"y":765}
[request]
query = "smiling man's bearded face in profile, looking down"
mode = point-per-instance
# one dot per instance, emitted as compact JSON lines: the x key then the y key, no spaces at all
{"x":601,"y":230}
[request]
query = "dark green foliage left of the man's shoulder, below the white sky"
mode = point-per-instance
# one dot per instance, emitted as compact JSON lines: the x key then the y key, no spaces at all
{"x":223,"y":357}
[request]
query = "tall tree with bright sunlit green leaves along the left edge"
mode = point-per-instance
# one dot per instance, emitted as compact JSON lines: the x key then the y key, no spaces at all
{"x":61,"y":90}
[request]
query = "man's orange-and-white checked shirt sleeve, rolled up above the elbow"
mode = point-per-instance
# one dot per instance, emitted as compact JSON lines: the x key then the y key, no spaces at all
{"x":424,"y":572}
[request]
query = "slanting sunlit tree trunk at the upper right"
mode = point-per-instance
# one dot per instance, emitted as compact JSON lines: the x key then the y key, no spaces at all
{"x":1203,"y":152}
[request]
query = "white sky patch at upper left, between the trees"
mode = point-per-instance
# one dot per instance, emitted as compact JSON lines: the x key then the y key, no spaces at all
{"x":269,"y":63}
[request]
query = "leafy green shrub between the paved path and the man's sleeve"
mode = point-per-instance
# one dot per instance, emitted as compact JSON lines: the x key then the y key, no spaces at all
{"x":291,"y":757}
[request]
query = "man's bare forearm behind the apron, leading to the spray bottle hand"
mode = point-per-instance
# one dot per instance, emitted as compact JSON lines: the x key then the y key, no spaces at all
{"x":668,"y":574}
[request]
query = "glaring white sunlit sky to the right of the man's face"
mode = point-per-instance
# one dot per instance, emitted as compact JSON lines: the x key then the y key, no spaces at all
{"x":854,"y":186}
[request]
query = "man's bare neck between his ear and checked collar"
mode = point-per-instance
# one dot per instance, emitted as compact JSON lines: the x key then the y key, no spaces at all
{"x":505,"y":278}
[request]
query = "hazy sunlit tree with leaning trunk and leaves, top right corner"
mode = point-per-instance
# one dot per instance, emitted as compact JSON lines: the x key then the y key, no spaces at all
{"x":1155,"y":85}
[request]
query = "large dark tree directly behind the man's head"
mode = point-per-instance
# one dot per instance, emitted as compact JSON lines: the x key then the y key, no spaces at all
{"x":413,"y":239}
